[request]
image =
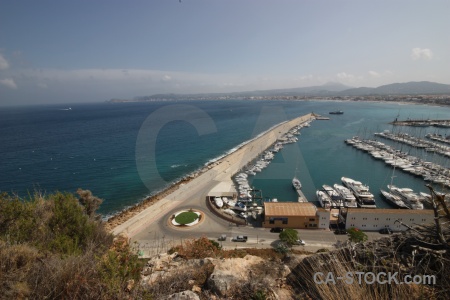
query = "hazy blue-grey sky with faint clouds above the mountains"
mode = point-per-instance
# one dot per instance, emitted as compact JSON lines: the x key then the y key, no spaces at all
{"x":92,"y":51}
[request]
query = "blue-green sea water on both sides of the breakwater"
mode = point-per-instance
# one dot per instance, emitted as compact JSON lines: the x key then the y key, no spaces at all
{"x":124,"y":152}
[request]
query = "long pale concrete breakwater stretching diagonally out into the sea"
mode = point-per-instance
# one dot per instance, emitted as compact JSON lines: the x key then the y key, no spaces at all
{"x":136,"y":218}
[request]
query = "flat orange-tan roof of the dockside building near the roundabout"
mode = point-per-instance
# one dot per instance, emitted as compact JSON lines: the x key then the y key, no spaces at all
{"x":286,"y":209}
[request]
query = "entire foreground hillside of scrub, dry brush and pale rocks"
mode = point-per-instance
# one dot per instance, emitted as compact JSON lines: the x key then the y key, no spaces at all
{"x":55,"y":247}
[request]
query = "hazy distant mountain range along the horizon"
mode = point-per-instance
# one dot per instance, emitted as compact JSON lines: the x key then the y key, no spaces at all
{"x":330,"y":89}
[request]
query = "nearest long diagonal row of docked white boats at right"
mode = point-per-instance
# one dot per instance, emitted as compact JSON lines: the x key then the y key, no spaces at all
{"x":429,"y":171}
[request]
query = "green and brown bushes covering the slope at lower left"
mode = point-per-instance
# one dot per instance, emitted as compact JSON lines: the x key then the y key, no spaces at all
{"x":55,"y":247}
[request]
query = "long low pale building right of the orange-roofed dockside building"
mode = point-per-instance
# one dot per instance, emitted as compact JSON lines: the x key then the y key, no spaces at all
{"x":374,"y":219}
